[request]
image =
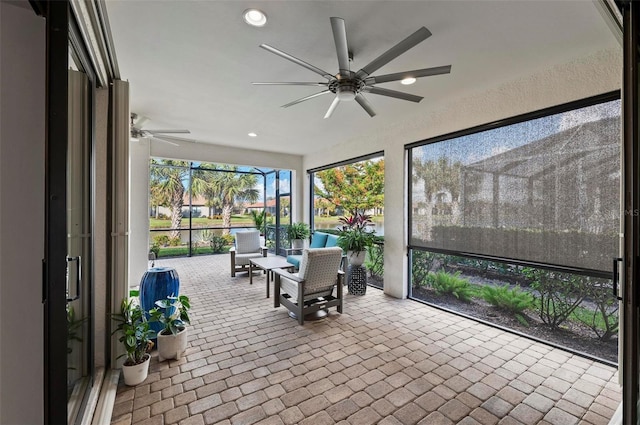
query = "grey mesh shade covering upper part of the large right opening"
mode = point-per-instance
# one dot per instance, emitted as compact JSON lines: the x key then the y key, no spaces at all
{"x":545,"y":190}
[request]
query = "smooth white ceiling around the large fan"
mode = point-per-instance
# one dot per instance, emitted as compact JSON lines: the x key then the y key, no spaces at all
{"x":190,"y":64}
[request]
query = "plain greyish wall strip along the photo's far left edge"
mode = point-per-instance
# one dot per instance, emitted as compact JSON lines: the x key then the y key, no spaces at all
{"x":22,"y":149}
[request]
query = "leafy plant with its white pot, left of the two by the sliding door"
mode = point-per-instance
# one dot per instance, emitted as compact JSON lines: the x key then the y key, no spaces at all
{"x":136,"y":339}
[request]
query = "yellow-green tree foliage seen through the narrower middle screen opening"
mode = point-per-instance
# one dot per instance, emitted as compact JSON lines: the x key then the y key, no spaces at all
{"x":356,"y":187}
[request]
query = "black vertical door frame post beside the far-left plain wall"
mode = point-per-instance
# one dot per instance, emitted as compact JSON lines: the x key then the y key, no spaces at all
{"x":54,"y":263}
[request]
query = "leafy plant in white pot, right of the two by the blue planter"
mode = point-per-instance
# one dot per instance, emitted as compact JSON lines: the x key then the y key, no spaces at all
{"x":173,"y":314}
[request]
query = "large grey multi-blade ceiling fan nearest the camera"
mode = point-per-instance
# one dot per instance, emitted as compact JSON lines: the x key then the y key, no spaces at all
{"x":348,"y":85}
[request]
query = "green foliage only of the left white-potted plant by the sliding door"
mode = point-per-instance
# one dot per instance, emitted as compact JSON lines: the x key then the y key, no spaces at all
{"x":135,"y":331}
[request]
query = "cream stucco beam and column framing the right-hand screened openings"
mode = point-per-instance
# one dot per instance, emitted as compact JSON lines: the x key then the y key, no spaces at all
{"x":578,"y":79}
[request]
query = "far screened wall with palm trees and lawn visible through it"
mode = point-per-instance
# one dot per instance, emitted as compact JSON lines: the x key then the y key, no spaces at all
{"x":195,"y":208}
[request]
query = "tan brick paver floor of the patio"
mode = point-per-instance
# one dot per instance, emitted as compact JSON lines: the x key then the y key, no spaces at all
{"x":384,"y":361}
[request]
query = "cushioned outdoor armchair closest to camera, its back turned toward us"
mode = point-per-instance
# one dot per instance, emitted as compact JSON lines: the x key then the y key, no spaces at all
{"x":311,"y":290}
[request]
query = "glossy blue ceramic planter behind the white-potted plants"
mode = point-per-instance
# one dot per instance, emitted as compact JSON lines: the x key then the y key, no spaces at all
{"x":157,"y":284}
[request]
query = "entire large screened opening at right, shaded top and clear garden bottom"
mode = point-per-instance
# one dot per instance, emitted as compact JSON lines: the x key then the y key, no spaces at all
{"x":516,"y":224}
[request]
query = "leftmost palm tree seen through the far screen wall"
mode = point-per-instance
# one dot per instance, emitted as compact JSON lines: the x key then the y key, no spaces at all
{"x":167,"y":177}
